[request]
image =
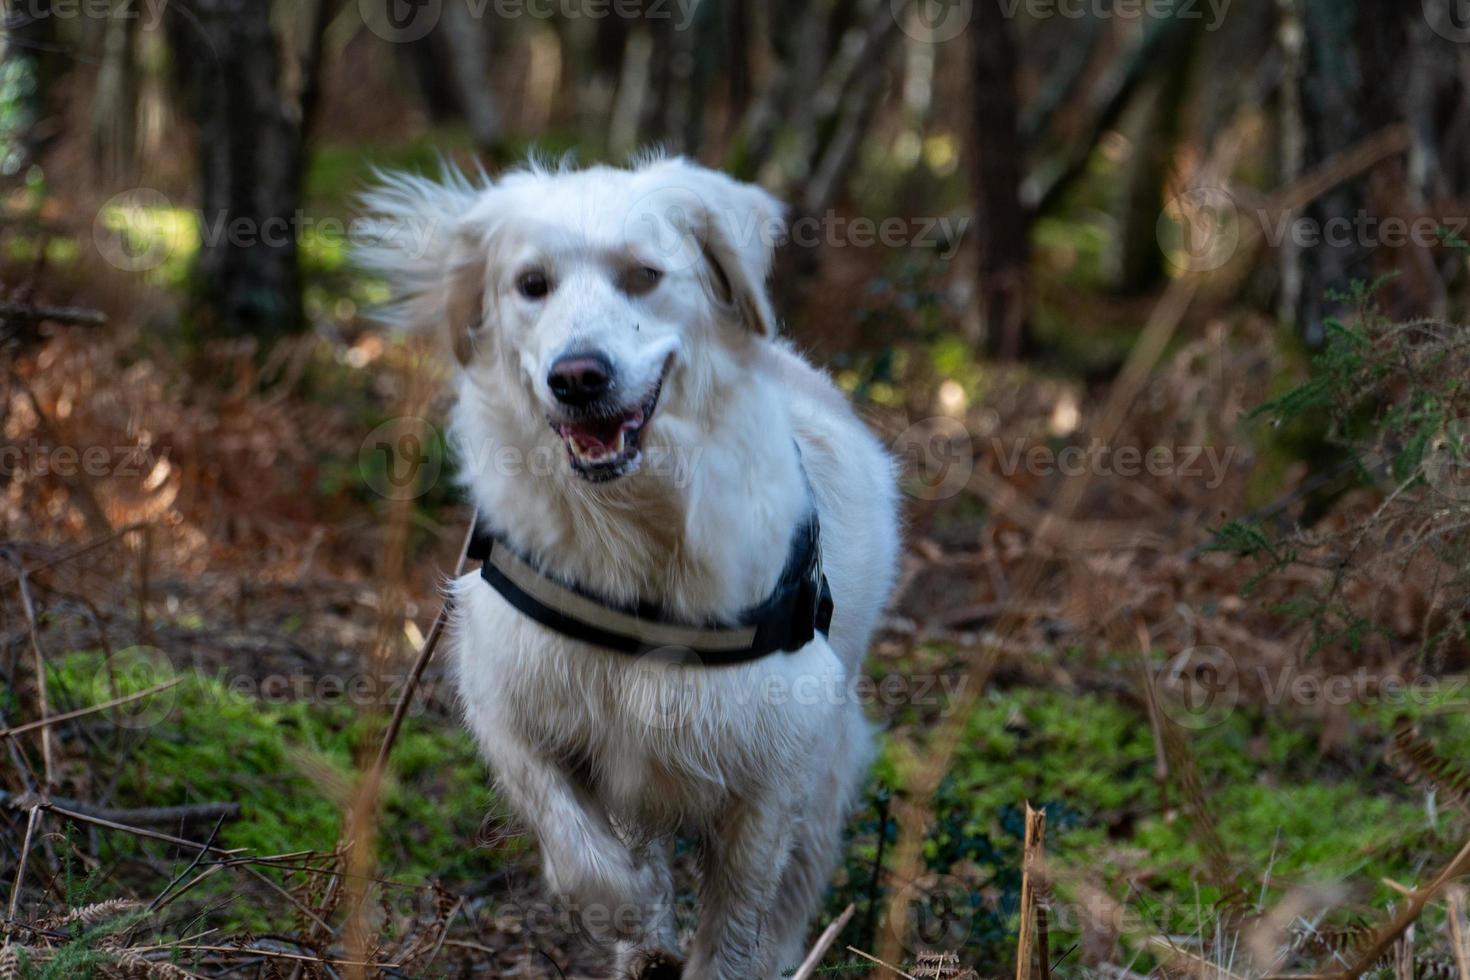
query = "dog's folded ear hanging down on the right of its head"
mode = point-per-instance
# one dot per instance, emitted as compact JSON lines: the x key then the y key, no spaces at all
{"x":737,"y":228}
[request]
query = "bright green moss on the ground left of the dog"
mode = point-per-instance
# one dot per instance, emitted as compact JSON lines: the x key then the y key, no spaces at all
{"x":290,"y":766}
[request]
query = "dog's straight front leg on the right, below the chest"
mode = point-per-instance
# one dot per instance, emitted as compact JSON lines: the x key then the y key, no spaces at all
{"x":745,"y":856}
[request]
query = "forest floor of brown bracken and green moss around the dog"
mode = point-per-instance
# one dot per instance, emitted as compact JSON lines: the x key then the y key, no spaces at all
{"x":236,"y":559}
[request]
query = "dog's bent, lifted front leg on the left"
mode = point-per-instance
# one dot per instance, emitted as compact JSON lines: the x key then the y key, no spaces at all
{"x":615,"y":896}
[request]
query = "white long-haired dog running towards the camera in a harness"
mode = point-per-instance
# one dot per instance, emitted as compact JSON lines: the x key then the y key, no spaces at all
{"x":650,"y":461}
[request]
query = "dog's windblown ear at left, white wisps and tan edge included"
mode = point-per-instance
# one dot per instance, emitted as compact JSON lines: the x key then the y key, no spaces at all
{"x":421,"y":240}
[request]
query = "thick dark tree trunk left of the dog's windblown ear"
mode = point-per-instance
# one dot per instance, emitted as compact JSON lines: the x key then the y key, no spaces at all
{"x":252,"y":137}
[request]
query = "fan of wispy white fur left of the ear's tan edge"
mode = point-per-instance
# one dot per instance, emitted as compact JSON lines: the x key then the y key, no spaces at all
{"x":414,"y":237}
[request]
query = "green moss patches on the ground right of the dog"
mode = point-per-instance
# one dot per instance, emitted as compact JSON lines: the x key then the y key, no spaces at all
{"x":1286,"y":819}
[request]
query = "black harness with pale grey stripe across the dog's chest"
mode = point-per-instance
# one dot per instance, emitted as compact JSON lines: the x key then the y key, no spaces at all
{"x":799,"y":608}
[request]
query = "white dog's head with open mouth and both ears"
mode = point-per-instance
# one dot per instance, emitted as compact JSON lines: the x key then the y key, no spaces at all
{"x":592,"y":302}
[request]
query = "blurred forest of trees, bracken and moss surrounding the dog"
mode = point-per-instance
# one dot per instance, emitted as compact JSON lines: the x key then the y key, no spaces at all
{"x":1158,"y":303}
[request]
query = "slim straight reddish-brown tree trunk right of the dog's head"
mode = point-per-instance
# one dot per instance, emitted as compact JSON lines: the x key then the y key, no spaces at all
{"x":1003,"y":226}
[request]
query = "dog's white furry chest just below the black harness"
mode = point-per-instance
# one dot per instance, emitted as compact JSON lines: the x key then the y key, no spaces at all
{"x":658,"y":744}
